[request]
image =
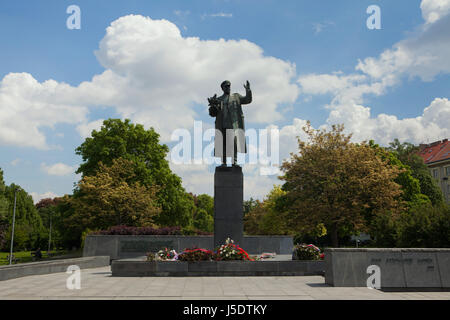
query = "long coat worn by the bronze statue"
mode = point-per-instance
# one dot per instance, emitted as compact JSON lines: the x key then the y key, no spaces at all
{"x":234,"y":109}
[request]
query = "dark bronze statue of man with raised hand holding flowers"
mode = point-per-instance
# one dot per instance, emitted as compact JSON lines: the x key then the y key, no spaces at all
{"x":230,"y":134}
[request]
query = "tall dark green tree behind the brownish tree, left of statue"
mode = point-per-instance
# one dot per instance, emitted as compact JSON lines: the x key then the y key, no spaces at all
{"x":118,"y":138}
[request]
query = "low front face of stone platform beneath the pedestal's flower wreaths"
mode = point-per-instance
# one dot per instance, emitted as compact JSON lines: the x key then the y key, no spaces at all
{"x":134,"y":268}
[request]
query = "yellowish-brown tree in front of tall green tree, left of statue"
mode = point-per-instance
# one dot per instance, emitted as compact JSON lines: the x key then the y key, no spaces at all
{"x":111,"y":198}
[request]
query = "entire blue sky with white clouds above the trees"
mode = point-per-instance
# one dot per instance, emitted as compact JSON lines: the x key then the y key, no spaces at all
{"x":314,"y":61}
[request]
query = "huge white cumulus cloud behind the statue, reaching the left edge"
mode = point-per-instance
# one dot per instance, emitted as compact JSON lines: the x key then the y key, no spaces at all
{"x":153,"y":75}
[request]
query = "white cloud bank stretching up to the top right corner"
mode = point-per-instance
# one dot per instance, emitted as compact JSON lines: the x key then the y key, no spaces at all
{"x":423,"y":55}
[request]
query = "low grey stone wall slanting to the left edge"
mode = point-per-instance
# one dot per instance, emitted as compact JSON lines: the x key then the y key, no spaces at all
{"x":53,"y":266}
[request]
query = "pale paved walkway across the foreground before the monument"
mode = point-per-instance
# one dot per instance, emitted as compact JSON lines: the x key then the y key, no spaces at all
{"x":98,"y":283}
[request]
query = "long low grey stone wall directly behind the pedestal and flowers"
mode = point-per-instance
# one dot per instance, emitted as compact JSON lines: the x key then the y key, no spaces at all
{"x":124,"y":246}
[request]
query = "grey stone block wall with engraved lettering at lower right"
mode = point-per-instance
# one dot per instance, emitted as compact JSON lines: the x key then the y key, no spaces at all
{"x":399,"y":268}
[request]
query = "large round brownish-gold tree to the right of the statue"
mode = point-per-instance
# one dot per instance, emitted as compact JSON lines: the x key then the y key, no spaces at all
{"x":338,"y":183}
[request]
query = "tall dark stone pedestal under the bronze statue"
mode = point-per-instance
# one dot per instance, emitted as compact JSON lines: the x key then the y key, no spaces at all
{"x":228,"y":205}
